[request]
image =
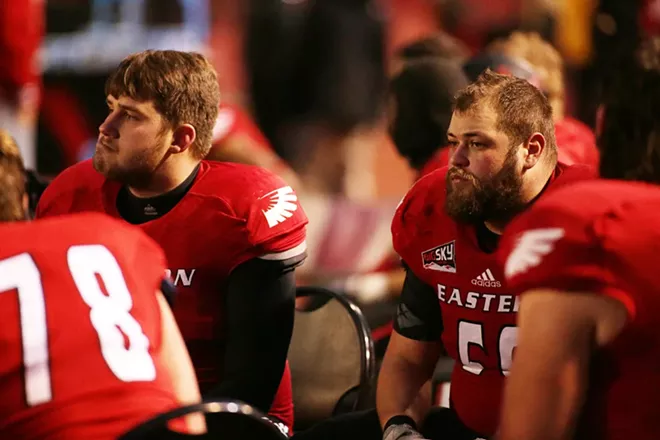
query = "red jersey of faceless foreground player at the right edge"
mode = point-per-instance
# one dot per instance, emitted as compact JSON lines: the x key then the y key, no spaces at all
{"x":601,"y":237}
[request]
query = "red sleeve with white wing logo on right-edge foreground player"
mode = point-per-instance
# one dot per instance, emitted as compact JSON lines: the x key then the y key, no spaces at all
{"x":556,"y":248}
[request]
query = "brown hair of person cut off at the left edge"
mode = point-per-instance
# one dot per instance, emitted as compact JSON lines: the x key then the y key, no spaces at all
{"x":12,"y":180}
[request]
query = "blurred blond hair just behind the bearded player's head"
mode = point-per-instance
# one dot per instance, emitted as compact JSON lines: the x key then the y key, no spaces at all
{"x":543,"y":57}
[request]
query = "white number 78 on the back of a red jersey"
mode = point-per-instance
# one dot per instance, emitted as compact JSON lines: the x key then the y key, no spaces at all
{"x":109,"y":315}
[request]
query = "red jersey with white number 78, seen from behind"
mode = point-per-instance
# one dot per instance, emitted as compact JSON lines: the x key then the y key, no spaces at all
{"x":81,"y":329}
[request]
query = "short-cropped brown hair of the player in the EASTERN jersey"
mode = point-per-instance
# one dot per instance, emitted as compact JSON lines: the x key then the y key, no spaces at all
{"x":521,"y":108}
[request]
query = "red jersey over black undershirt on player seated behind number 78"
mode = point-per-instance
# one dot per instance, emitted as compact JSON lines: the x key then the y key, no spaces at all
{"x":231,"y":214}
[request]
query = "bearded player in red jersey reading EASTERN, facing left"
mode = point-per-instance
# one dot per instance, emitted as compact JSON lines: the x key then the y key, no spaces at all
{"x":446,"y":230}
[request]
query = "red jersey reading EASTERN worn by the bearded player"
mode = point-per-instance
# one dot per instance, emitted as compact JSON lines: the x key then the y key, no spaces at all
{"x":478,"y":310}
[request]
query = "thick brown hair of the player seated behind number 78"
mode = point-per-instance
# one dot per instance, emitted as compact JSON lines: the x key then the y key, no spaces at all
{"x":183,"y":87}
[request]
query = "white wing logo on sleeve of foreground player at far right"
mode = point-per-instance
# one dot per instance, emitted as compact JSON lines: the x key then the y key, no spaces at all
{"x":531,"y":247}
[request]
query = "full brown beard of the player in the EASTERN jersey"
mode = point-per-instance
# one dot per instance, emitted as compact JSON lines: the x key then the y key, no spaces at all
{"x":497,"y":199}
